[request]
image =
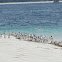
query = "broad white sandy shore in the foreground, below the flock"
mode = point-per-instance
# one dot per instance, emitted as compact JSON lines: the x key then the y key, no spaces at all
{"x":14,"y":50}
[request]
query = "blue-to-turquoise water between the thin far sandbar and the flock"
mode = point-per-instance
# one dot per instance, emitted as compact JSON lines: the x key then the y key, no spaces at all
{"x":38,"y":18}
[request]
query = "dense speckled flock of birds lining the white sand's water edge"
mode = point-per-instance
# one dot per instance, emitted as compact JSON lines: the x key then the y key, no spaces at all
{"x":33,"y":38}
